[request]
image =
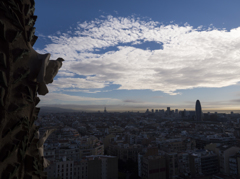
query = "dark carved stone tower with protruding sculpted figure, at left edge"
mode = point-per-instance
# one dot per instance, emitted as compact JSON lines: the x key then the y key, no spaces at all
{"x":24,"y":73}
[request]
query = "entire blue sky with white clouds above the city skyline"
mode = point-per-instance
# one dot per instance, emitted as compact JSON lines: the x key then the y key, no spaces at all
{"x":138,"y":54}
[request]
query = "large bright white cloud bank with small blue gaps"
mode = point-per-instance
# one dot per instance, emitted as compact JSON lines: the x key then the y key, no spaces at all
{"x":190,"y":58}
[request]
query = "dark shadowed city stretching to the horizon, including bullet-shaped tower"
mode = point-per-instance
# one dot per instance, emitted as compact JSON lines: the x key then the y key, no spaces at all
{"x":159,"y":143}
